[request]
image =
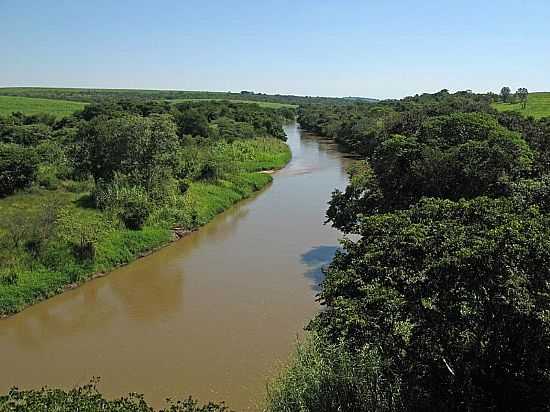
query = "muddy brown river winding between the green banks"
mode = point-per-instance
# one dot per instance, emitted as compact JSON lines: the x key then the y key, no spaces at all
{"x":211,"y":315}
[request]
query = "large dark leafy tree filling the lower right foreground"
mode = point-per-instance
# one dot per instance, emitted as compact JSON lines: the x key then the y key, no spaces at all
{"x":455,"y":296}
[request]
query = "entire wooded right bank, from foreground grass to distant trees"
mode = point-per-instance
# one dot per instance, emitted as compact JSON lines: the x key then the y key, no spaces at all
{"x":440,"y":299}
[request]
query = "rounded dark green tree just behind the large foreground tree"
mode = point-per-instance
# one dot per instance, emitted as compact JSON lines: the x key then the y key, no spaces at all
{"x":461,"y":155}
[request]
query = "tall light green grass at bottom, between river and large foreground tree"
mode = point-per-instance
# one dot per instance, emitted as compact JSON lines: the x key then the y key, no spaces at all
{"x":326,"y":377}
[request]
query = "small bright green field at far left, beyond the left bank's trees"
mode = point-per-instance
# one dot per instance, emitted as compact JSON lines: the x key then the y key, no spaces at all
{"x":27,"y":105}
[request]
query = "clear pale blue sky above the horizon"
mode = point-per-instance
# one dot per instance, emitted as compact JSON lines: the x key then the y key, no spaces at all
{"x":333,"y":48}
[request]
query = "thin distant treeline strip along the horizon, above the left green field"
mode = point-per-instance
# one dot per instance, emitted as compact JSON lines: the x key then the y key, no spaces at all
{"x":94,"y":95}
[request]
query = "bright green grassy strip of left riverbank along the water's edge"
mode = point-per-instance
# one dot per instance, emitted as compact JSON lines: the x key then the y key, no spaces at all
{"x":33,"y":280}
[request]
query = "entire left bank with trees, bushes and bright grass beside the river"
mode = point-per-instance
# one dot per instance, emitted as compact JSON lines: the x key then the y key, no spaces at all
{"x":82,"y":194}
